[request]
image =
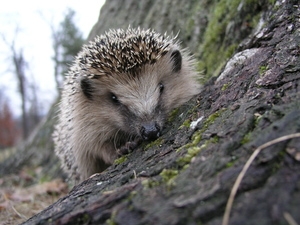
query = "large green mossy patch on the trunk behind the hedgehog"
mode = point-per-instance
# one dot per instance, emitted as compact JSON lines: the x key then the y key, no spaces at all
{"x":219,"y":43}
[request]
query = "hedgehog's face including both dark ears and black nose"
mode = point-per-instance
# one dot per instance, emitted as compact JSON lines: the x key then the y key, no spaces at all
{"x":138,"y":103}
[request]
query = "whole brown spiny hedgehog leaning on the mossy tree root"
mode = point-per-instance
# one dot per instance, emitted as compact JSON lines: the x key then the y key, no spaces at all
{"x":117,"y":94}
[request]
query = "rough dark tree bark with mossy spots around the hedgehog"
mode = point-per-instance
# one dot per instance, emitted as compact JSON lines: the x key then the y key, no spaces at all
{"x":185,"y":177}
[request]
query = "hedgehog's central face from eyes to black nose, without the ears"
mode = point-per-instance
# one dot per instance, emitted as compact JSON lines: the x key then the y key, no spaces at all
{"x":140,"y":105}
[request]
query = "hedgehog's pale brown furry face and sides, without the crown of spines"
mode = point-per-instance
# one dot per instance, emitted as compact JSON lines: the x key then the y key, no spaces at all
{"x":94,"y":129}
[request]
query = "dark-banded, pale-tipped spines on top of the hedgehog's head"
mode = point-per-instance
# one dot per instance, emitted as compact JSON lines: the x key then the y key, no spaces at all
{"x":120,"y":51}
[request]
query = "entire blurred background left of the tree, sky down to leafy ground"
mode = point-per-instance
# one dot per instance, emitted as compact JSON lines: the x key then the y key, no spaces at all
{"x":38,"y":42}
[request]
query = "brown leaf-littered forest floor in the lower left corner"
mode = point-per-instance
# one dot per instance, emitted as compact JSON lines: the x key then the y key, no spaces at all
{"x":26,"y":193}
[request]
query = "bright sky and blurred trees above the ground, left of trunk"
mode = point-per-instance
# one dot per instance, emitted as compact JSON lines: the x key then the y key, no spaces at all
{"x":23,"y":99}
